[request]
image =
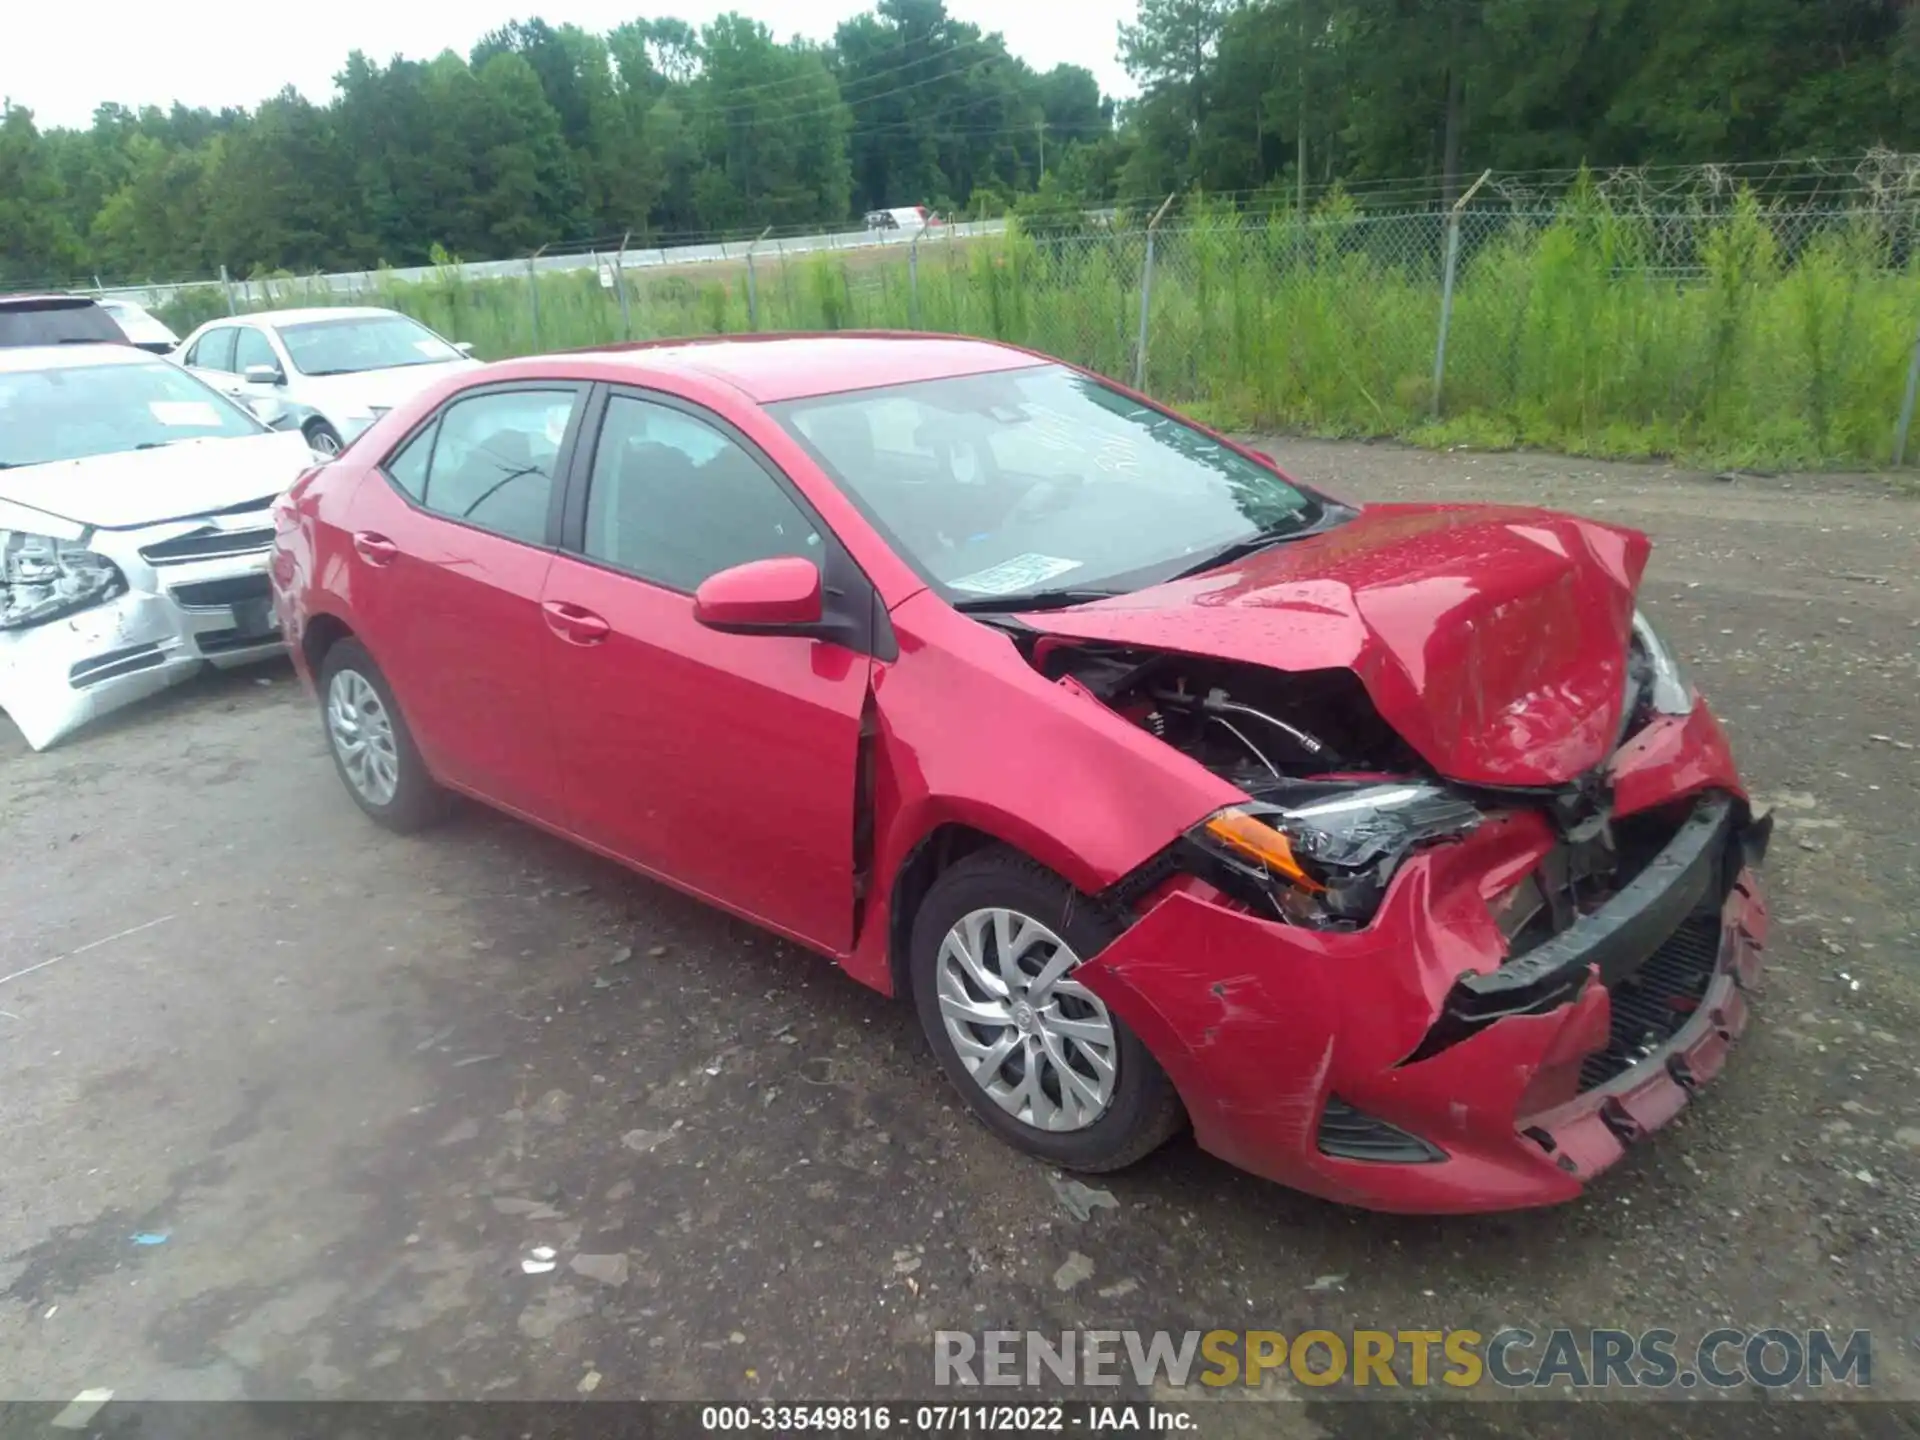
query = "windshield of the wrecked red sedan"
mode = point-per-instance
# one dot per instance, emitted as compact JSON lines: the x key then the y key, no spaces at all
{"x":999,"y":487}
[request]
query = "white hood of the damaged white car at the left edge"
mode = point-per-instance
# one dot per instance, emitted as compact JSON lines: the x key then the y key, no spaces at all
{"x":145,"y":487}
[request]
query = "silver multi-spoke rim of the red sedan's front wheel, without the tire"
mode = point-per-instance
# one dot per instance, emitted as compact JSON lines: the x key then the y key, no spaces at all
{"x":1036,"y":1042}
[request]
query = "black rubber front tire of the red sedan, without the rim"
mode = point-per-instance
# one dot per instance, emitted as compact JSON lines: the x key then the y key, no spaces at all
{"x":1143,"y":1111}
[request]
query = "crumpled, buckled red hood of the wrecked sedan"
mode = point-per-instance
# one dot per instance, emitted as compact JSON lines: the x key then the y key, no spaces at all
{"x":1491,"y":638}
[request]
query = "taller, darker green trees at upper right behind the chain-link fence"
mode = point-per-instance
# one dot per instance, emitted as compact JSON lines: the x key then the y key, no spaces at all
{"x":1278,"y":93}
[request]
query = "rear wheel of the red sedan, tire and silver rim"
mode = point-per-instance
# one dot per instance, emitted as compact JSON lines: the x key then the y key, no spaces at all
{"x":372,"y":744}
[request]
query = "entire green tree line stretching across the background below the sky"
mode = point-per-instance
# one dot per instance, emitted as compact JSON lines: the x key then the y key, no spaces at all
{"x":556,"y":135}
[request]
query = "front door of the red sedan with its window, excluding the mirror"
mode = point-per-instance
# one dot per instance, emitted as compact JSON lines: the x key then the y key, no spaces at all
{"x":723,"y":763}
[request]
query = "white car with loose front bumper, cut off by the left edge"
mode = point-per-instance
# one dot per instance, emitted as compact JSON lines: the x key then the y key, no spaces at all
{"x":135,"y":531}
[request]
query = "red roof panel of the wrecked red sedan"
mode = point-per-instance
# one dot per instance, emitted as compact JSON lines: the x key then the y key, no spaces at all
{"x":769,"y":370}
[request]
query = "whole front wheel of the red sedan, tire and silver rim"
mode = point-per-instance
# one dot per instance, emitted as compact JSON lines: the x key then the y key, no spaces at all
{"x":1036,"y":1055}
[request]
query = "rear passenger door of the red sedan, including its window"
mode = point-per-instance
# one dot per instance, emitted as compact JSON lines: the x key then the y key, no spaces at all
{"x":452,"y":540}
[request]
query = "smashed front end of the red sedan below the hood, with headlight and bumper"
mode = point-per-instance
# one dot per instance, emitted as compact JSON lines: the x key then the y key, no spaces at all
{"x":1401,"y":992}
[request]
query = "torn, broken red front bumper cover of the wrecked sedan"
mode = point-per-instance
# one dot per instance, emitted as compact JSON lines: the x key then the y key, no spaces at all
{"x":1259,"y":1022}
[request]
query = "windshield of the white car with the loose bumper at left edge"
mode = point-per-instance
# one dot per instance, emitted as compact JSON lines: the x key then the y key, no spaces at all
{"x":72,"y":412}
